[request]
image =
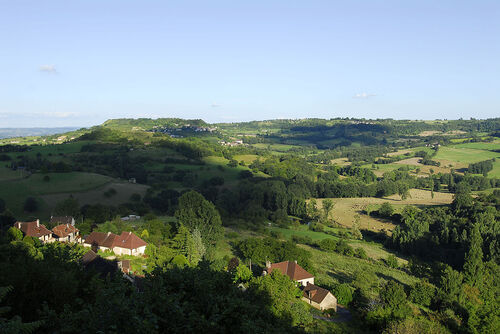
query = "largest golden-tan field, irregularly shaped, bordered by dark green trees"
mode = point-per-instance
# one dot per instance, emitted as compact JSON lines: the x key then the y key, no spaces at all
{"x":347,"y":210}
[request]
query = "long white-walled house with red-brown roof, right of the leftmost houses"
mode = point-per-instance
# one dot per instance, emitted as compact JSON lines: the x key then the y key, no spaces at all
{"x":126,"y":243}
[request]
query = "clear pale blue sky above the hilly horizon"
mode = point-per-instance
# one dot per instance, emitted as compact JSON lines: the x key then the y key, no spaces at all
{"x":81,"y":62}
